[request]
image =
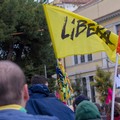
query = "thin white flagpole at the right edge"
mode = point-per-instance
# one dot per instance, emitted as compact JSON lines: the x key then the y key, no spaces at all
{"x":114,"y":86}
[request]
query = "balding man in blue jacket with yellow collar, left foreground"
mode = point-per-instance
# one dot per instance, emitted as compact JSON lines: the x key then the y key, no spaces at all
{"x":14,"y":94}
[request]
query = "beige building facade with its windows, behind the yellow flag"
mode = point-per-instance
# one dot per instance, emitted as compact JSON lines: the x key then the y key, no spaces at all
{"x":83,"y":67}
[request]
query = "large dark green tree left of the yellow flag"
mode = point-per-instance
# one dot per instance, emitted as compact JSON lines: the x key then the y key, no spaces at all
{"x":24,"y":36}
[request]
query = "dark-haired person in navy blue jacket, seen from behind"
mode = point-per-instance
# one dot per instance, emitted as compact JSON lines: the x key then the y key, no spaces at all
{"x":42,"y":103}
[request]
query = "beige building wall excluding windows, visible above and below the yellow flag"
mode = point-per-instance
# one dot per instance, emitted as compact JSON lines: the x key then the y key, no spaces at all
{"x":95,"y":11}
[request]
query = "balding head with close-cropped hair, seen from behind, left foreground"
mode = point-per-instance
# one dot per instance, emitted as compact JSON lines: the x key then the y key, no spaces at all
{"x":12,"y":80}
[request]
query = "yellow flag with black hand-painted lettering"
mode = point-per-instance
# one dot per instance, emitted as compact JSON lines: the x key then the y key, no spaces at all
{"x":73,"y":34}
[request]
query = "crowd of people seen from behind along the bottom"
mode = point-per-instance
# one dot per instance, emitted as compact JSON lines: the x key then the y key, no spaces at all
{"x":18,"y":102}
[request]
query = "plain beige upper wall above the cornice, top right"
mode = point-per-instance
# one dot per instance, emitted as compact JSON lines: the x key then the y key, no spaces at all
{"x":99,"y":9}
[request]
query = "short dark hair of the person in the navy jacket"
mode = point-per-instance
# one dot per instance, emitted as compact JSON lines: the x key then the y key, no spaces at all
{"x":39,"y":79}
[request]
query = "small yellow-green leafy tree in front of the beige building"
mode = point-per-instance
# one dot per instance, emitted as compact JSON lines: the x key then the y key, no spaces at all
{"x":102,"y":83}
